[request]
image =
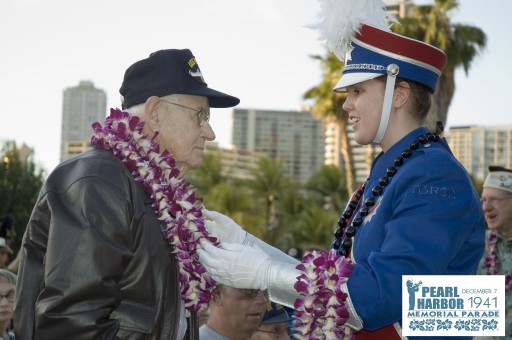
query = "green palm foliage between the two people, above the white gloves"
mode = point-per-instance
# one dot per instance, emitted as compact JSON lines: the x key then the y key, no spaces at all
{"x":271,"y":205}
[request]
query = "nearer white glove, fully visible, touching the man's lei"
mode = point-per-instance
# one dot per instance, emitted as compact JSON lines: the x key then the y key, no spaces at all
{"x":235,"y":265}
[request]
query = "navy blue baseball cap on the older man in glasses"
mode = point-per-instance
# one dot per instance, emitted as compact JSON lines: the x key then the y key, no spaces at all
{"x":168,"y":72}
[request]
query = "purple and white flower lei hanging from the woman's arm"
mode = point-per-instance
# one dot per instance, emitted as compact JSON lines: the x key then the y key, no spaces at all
{"x":321,"y":310}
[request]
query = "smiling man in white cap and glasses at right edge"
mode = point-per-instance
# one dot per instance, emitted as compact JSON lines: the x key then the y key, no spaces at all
{"x":497,"y":260}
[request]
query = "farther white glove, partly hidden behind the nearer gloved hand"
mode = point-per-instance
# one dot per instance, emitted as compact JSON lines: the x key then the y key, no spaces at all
{"x":223,"y":227}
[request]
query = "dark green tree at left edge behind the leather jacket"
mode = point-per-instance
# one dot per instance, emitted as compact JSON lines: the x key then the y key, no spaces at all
{"x":20,"y":182}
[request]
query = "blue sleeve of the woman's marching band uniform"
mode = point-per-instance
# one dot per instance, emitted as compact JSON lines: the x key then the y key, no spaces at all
{"x":432,"y":226}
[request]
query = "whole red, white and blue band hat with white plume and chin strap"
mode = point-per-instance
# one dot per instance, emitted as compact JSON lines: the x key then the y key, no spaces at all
{"x":357,"y":32}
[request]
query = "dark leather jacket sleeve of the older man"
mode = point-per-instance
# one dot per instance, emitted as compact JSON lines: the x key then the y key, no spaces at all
{"x":88,"y":246}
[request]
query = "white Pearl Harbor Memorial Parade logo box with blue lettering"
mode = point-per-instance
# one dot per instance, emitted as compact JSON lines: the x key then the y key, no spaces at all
{"x":458,"y":305}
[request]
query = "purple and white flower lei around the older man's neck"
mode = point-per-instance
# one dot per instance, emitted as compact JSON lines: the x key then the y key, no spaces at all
{"x":174,"y":200}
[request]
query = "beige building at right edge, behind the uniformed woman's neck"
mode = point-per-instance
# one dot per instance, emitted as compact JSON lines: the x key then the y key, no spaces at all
{"x":477,"y":147}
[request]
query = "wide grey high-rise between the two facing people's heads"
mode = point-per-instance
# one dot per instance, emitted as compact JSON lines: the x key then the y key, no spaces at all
{"x":294,"y":136}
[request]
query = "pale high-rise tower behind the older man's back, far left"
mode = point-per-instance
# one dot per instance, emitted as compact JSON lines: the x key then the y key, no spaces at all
{"x":82,"y":105}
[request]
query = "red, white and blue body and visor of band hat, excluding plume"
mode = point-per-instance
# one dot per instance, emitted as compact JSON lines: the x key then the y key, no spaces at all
{"x":373,"y":50}
